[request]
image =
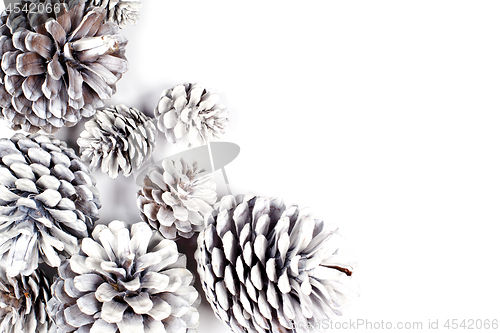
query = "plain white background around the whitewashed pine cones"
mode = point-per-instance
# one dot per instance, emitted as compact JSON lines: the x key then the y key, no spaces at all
{"x":382,"y":116}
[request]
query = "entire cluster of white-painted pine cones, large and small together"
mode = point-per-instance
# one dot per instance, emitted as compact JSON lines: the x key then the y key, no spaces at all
{"x":264,"y":266}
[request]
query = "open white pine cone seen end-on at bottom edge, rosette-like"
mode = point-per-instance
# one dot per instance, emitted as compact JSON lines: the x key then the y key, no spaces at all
{"x":127,"y":281}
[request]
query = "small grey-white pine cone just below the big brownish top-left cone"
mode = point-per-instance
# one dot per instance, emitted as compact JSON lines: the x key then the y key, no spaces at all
{"x":117,"y":139}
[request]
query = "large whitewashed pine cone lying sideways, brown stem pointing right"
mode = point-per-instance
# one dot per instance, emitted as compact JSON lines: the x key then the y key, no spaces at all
{"x":270,"y":268}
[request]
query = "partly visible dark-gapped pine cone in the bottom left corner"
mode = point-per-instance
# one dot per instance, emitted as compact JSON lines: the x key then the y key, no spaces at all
{"x":22,"y":302}
